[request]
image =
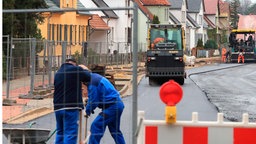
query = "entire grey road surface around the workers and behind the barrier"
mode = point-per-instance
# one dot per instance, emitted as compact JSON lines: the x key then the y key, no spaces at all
{"x":227,"y":88}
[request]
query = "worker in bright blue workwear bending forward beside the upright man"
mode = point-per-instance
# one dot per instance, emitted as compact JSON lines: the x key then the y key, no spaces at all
{"x":103,"y":95}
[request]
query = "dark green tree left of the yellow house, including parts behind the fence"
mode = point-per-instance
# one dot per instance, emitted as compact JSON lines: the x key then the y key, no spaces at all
{"x":22,"y":25}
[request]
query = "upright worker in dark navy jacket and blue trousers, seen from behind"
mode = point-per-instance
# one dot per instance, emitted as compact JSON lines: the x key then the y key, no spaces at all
{"x":68,"y":101}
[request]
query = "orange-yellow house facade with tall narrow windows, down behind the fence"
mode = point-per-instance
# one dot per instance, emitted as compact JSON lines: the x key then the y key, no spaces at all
{"x":64,"y":32}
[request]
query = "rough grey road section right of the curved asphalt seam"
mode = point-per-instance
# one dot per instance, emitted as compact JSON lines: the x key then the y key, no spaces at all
{"x":232,"y":91}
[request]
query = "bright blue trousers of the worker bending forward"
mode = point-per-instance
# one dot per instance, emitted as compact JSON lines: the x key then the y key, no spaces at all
{"x":109,"y":117}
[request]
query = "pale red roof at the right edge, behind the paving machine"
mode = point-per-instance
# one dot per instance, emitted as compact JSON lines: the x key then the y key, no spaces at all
{"x":247,"y":22}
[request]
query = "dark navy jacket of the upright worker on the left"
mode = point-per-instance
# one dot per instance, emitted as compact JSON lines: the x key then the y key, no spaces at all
{"x":68,"y":87}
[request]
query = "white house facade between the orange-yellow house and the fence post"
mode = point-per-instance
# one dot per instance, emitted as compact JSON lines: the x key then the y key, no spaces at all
{"x":118,"y":37}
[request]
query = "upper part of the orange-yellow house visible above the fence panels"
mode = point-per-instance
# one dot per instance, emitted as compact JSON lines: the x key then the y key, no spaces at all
{"x":65,"y":26}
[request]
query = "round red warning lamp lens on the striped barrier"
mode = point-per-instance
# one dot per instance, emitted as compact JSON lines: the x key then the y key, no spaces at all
{"x":171,"y":93}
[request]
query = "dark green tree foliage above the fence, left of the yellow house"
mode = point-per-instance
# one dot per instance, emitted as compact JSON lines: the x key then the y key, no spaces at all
{"x":22,"y":25}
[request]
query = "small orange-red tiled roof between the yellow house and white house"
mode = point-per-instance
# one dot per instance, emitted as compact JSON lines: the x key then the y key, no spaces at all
{"x":97,"y":23}
